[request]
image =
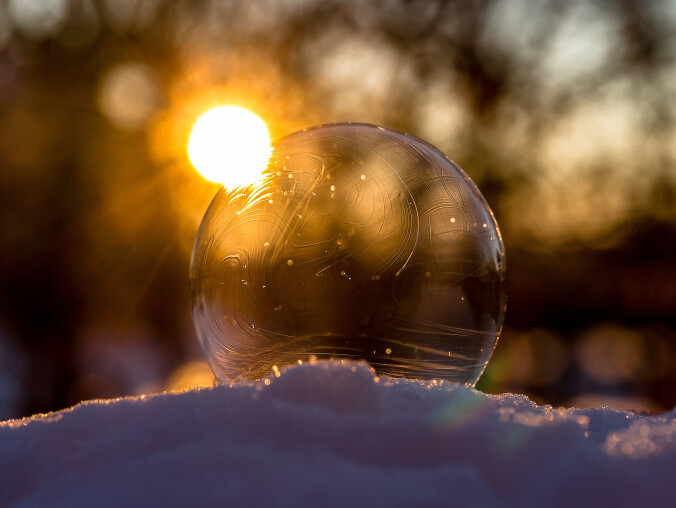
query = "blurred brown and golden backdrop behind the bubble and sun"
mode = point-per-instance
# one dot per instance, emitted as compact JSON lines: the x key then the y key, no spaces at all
{"x":563,"y":113}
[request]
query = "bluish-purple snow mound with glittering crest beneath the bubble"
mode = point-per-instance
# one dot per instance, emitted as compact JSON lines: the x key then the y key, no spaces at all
{"x":333,"y":434}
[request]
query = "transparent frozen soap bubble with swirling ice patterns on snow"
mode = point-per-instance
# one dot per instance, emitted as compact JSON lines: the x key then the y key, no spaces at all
{"x":360,"y":243}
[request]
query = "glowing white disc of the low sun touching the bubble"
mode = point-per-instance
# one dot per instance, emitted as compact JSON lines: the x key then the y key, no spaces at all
{"x":229,"y":145}
